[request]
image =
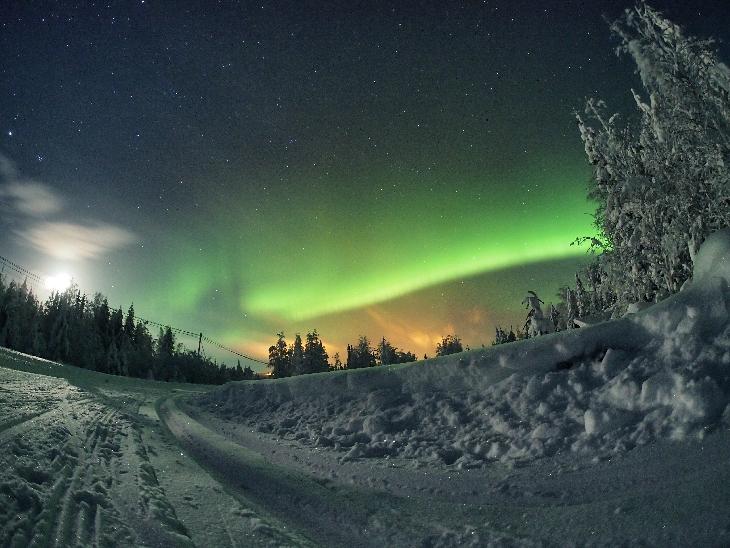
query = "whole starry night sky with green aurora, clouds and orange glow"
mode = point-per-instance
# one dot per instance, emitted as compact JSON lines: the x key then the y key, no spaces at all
{"x":398,"y":169}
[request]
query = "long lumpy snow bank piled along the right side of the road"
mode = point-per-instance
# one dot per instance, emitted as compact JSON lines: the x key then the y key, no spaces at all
{"x":663,"y":371}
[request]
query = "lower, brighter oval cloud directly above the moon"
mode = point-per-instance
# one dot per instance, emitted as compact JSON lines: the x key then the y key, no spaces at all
{"x":71,"y":241}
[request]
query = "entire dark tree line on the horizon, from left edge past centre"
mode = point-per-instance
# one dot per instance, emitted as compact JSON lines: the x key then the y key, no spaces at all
{"x":69,"y":327}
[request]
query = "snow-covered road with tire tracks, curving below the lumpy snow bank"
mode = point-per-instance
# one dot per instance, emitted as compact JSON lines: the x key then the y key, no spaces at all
{"x":85,"y":460}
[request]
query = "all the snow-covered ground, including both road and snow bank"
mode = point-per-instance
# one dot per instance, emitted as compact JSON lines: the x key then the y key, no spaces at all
{"x":615,"y":434}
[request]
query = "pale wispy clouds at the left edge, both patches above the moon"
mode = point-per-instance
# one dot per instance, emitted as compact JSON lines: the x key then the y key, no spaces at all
{"x":41,"y":220}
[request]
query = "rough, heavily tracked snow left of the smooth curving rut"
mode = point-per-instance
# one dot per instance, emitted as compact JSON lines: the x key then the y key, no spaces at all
{"x":85,"y":461}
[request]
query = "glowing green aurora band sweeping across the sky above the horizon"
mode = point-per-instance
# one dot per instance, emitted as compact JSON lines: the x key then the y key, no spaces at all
{"x":311,"y":266}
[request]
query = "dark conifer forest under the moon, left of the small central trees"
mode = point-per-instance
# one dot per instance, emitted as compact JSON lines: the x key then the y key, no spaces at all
{"x":73,"y":329}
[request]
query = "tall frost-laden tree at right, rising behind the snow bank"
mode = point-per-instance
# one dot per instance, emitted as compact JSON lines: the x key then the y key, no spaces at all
{"x":661,"y":187}
